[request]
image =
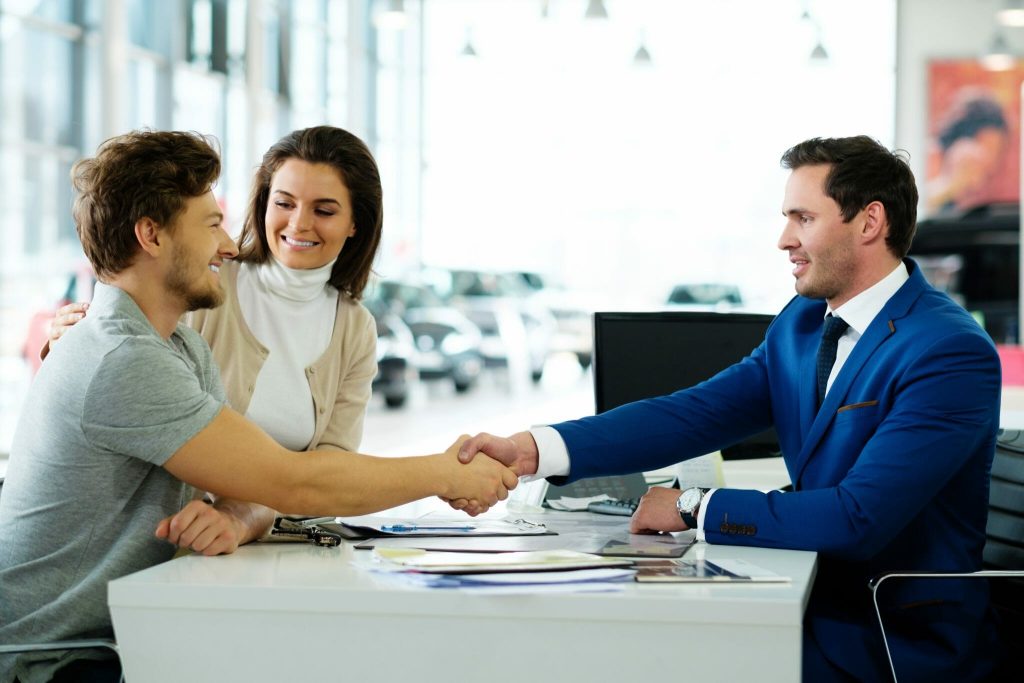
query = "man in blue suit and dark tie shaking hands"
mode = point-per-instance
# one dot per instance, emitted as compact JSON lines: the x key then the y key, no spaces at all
{"x":885,"y":395}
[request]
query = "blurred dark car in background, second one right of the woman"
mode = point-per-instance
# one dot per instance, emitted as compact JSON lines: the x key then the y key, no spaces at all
{"x":447,"y":344}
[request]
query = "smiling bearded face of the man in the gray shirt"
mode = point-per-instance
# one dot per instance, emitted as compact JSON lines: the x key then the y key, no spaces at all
{"x":200,"y":246}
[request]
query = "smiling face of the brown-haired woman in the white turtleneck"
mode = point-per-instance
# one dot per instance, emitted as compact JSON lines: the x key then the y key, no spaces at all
{"x":309,"y":216}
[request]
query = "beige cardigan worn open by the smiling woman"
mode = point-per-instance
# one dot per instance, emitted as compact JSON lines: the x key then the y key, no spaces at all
{"x":339,"y":380}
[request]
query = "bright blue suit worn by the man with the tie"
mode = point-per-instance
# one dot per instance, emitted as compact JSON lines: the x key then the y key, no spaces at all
{"x":892,"y":474}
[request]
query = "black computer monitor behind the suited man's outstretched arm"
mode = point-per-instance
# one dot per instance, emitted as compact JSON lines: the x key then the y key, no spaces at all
{"x":645,"y":355}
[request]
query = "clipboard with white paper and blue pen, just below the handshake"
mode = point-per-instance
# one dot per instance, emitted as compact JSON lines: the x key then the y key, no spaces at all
{"x":375,"y":528}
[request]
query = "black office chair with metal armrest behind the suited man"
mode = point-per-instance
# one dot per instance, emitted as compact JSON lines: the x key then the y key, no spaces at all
{"x":1004,"y":553}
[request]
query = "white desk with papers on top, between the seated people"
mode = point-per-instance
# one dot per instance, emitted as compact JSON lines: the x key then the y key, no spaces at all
{"x":296,"y":613}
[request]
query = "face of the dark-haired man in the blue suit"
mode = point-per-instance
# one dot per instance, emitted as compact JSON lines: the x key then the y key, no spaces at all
{"x":822,"y":245}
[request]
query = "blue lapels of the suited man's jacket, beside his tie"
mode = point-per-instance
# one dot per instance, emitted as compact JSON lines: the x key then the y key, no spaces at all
{"x":882,"y":328}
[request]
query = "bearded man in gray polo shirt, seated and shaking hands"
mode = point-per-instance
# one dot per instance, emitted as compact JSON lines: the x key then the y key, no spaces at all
{"x":124,"y":420}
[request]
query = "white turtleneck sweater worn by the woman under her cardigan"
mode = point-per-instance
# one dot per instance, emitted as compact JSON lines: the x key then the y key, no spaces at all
{"x":291,"y":313}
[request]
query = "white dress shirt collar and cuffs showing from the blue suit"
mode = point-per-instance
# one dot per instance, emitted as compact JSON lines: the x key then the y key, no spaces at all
{"x":553,"y":457}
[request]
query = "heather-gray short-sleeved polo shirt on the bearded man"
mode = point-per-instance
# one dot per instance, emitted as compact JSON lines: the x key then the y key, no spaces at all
{"x":86,"y":486}
